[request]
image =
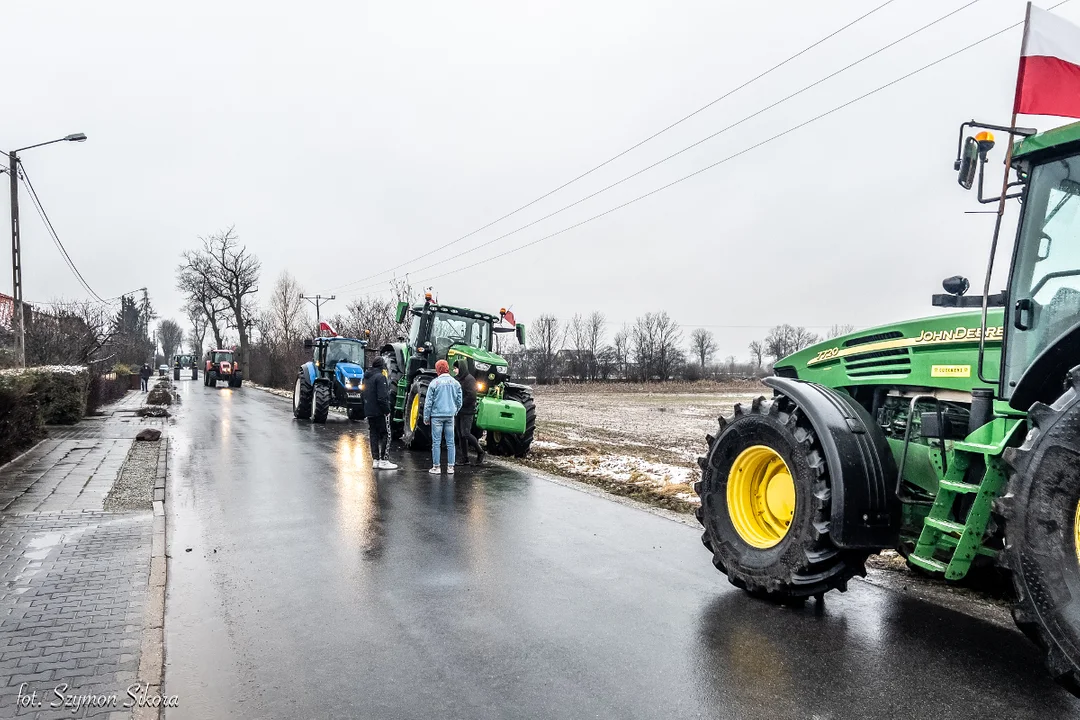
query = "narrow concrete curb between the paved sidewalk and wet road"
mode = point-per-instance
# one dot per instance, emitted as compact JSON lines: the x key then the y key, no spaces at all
{"x":152,"y":668}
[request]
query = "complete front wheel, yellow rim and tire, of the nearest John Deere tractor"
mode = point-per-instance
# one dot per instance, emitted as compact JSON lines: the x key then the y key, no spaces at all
{"x":765,"y":505}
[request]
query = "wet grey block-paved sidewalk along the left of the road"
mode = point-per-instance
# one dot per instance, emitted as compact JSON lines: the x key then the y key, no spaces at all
{"x":75,"y":579}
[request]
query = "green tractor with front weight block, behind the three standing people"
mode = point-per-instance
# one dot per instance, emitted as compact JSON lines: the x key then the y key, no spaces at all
{"x":506,"y":411}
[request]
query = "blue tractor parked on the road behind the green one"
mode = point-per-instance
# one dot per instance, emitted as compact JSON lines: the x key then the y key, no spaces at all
{"x":334,"y":377}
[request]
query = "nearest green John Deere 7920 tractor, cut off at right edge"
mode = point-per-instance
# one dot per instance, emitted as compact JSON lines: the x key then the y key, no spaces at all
{"x":954,"y":440}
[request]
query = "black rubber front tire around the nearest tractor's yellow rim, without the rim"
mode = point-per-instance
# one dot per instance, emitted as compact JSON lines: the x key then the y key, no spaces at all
{"x":804,"y":562}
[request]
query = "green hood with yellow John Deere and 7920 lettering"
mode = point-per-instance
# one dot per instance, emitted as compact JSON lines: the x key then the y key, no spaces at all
{"x":941,"y":351}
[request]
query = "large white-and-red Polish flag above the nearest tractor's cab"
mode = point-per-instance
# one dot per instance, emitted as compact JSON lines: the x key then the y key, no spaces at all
{"x":1048,"y":83}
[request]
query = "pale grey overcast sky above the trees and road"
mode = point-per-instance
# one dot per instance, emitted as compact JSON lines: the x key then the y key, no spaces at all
{"x":344,"y":139}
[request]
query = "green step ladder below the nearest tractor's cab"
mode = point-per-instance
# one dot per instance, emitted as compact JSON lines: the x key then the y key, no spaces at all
{"x":942,"y":535}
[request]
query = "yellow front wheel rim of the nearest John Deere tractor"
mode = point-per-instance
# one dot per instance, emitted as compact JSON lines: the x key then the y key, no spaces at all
{"x":762,"y":497}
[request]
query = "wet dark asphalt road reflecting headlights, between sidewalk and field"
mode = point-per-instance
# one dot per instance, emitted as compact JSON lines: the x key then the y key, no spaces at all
{"x":315,"y":589}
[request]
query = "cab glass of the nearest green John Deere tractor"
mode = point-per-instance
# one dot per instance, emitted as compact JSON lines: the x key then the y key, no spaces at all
{"x":1046,"y":282}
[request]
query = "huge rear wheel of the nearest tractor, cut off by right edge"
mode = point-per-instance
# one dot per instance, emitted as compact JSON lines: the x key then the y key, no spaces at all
{"x":1042,"y":510}
